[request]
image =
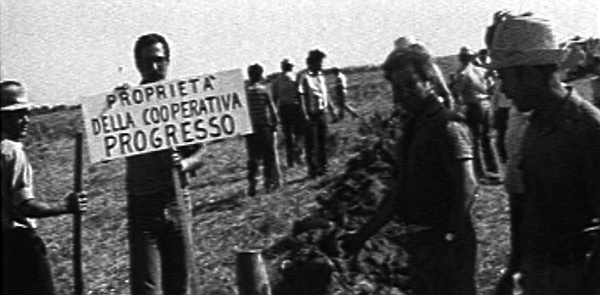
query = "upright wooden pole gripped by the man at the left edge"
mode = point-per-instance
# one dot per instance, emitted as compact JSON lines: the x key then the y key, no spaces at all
{"x":77,"y":187}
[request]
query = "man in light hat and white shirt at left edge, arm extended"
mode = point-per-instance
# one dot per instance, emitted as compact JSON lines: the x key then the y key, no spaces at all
{"x":25,"y":268}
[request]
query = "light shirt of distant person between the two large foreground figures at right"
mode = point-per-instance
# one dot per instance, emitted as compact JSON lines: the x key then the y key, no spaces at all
{"x":471,"y":84}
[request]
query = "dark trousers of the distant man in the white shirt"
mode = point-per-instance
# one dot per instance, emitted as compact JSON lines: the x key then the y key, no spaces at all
{"x":315,"y":138}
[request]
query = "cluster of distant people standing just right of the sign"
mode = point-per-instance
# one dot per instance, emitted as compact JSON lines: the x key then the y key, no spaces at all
{"x":301,"y":104}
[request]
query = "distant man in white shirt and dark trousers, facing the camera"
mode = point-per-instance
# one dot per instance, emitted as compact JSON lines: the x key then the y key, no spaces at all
{"x":315,"y":101}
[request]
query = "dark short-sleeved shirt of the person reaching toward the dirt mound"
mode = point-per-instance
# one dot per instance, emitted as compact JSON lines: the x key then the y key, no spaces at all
{"x":428,"y":149}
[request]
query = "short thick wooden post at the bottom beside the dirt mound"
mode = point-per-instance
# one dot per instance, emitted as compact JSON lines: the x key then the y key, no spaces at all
{"x":251,"y":273}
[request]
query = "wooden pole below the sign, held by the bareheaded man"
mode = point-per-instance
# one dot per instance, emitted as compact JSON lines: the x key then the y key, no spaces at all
{"x":181,"y":182}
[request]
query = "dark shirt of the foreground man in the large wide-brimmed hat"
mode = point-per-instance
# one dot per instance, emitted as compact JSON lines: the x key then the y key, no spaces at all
{"x":561,"y":172}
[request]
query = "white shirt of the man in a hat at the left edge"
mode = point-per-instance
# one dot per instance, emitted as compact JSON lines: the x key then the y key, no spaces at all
{"x":17,"y":184}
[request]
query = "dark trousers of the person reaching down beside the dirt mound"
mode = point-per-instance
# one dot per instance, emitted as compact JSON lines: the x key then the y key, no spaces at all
{"x":439,"y":267}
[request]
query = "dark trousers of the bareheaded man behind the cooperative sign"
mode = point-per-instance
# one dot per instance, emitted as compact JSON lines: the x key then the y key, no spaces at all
{"x":157,"y":244}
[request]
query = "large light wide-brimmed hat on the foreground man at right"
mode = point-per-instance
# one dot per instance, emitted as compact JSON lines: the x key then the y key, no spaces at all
{"x":524,"y":40}
